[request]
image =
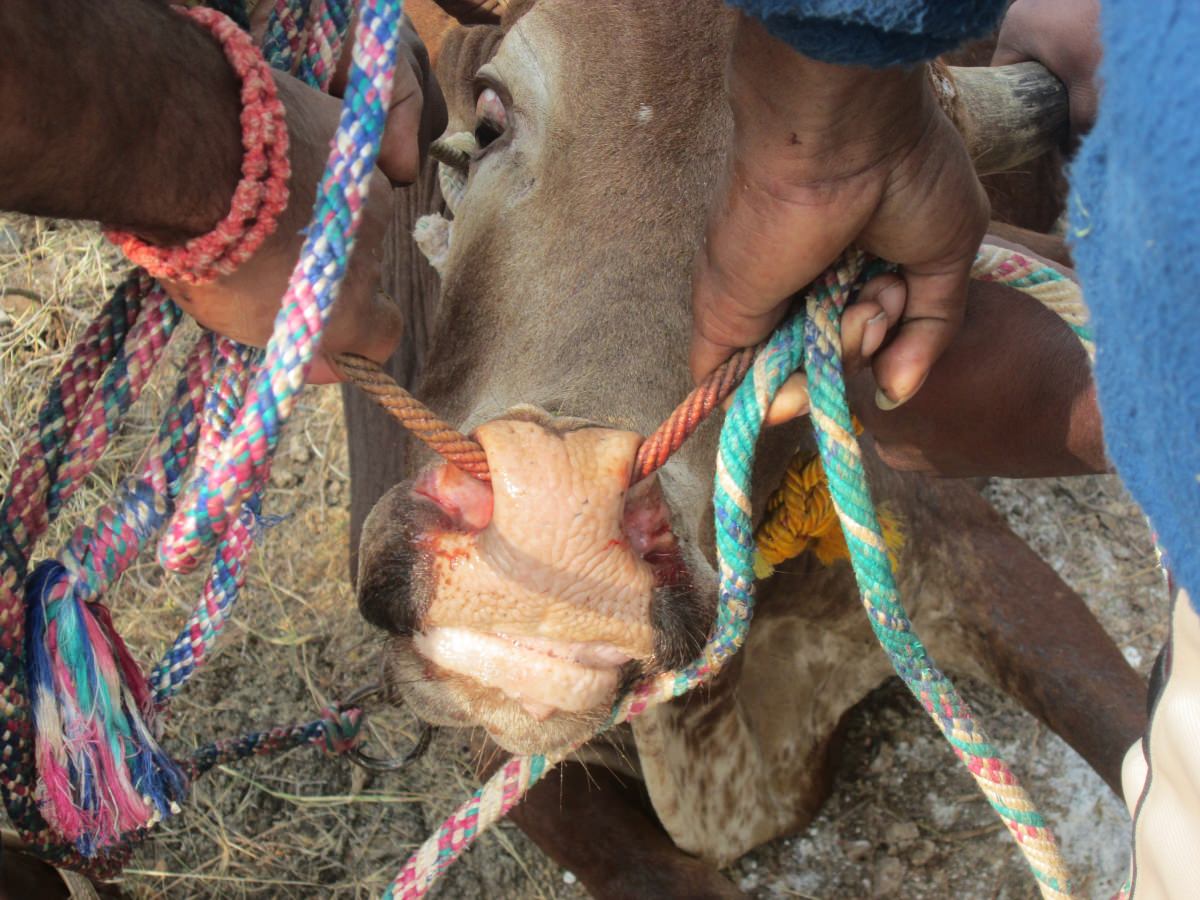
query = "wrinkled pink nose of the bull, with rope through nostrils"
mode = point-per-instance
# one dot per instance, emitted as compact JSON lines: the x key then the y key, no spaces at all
{"x":556,"y":547}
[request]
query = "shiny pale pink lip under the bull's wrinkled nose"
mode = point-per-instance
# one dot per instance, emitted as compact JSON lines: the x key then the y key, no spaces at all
{"x":544,"y":676}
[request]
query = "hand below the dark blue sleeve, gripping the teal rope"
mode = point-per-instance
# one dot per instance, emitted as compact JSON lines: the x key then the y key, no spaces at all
{"x":827,"y":157}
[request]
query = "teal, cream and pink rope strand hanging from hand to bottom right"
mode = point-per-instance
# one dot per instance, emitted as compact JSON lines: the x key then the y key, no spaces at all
{"x":843,"y":461}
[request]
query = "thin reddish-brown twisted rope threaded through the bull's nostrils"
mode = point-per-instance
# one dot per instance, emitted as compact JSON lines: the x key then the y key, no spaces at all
{"x":460,"y":451}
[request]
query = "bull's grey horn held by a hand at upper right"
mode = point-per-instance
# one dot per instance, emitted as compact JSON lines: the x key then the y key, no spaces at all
{"x":1007,"y":116}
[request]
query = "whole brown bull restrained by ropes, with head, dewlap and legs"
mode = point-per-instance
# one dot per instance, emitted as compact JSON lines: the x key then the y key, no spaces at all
{"x":557,"y":334}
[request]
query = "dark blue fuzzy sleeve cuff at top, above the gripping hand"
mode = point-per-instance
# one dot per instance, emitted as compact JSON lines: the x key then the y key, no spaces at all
{"x":874,"y":33}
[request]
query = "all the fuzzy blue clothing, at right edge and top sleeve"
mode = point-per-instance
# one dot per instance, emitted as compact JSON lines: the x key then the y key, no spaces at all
{"x":1135,"y":212}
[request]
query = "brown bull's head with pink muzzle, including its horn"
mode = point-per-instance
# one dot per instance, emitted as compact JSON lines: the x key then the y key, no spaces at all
{"x":561,"y":338}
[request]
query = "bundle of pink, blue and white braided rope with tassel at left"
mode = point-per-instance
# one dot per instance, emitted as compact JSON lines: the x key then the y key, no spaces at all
{"x":103,"y":779}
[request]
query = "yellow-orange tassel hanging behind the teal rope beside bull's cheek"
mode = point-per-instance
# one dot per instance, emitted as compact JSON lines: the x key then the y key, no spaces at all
{"x":801,"y":517}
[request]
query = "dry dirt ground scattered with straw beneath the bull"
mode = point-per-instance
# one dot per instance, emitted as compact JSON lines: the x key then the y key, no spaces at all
{"x":905,"y":820}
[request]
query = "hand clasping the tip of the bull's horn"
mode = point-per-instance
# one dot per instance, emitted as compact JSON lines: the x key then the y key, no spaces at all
{"x":1064,"y":37}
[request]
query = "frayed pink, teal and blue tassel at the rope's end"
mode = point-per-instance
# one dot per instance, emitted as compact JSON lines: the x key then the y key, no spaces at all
{"x":103,"y":772}
